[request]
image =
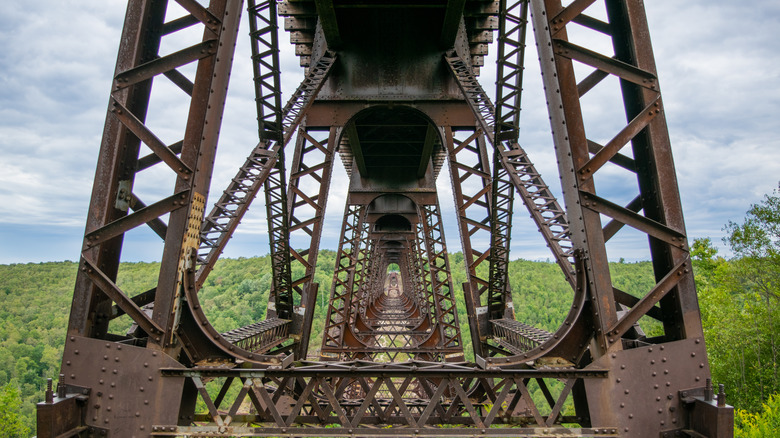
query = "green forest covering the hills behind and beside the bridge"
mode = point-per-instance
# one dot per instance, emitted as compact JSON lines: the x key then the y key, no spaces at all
{"x":738,"y":298}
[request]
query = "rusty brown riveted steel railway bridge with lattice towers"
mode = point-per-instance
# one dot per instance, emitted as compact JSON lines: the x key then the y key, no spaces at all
{"x":390,"y":87}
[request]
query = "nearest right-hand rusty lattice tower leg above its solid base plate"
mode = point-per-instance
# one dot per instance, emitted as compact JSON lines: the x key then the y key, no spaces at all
{"x":645,"y":131}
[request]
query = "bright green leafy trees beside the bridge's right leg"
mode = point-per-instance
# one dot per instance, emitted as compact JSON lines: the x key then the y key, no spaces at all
{"x":739,"y":305}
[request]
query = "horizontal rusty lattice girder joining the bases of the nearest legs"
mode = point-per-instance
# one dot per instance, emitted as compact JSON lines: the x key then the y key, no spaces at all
{"x":415,"y":397}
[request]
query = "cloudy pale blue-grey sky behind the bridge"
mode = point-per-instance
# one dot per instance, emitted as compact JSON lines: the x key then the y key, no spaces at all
{"x":718,"y":65}
